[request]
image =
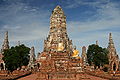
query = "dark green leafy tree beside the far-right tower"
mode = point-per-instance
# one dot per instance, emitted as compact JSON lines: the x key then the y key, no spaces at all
{"x":97,"y":55}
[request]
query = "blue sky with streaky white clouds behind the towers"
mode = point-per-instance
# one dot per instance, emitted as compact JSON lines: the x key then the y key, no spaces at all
{"x":87,"y":21}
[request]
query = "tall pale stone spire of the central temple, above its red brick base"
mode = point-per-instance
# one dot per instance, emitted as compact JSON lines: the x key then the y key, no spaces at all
{"x":58,"y":39}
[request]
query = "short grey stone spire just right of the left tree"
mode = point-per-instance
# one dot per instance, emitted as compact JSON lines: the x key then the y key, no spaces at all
{"x":32,"y":58}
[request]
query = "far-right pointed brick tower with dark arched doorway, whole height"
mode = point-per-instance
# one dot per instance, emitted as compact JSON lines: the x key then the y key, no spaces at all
{"x":112,"y":55}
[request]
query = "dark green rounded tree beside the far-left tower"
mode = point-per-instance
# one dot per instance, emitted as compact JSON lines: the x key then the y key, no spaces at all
{"x":15,"y":57}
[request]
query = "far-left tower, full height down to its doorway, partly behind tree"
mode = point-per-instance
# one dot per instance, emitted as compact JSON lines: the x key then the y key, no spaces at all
{"x":5,"y":46}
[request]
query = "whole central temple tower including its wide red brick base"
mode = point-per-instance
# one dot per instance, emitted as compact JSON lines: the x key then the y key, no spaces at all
{"x":58,"y":55}
